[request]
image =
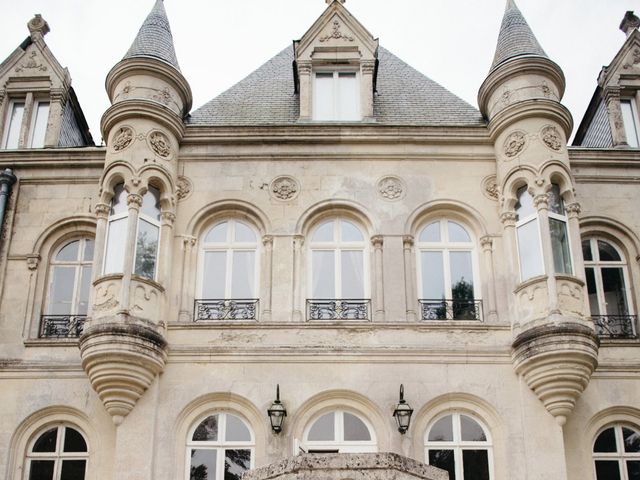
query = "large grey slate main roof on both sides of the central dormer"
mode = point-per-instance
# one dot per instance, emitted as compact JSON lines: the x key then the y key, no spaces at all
{"x":404,"y":97}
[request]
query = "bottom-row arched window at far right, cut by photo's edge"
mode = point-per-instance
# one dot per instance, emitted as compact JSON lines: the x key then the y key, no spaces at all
{"x":616,"y":453}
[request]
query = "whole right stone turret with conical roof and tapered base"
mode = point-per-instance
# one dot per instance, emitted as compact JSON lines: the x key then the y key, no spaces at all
{"x":554,"y":347}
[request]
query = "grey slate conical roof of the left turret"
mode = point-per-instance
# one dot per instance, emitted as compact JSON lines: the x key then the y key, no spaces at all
{"x":154,"y":38}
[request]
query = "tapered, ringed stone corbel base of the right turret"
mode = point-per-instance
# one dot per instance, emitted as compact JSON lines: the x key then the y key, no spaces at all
{"x":557,"y":361}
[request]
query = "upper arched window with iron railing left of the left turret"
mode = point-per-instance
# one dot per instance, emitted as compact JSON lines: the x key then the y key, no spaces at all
{"x":69,"y":284}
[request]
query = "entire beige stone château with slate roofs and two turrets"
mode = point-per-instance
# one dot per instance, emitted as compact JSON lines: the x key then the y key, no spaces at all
{"x":336,"y":228}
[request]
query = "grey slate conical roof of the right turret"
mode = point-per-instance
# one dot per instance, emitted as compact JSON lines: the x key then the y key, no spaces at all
{"x":515,"y":38}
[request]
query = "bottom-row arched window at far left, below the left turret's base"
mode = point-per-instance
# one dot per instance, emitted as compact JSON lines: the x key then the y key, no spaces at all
{"x":58,"y":453}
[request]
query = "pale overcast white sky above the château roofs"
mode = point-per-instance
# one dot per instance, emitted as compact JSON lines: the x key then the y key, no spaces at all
{"x":219,"y":42}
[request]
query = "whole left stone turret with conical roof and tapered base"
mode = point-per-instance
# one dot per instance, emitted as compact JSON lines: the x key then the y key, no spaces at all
{"x":123,"y":347}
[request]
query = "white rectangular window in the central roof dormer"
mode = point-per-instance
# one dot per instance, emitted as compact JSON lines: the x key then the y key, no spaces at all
{"x":336,"y":96}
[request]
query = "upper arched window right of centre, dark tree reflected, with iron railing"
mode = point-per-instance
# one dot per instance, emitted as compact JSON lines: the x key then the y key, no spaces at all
{"x":446,"y":259}
